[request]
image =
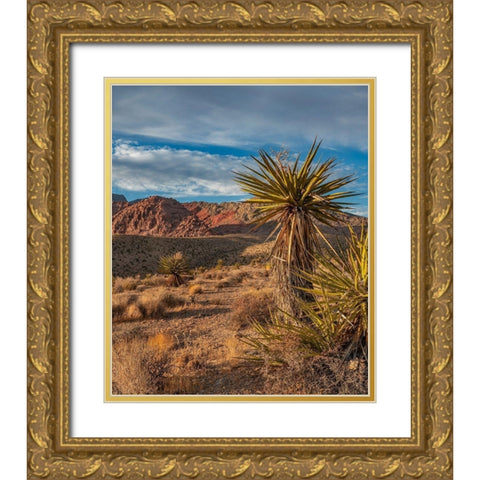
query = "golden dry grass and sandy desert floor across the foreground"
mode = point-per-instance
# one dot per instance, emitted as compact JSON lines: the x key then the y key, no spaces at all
{"x":200,"y":349}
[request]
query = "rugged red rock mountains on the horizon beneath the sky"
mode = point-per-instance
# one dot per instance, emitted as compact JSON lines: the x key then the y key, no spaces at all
{"x":166,"y":217}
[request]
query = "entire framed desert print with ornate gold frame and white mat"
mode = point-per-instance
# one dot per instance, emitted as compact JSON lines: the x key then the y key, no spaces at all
{"x":239,"y":234}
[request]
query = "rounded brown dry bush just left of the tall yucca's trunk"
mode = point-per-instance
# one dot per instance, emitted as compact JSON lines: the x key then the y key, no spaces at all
{"x":253,"y":306}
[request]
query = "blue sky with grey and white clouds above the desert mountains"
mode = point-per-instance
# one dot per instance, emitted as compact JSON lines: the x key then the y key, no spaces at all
{"x":184,"y":141}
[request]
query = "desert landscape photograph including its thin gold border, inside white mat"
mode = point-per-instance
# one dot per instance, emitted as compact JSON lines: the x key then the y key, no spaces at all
{"x":241,"y":258}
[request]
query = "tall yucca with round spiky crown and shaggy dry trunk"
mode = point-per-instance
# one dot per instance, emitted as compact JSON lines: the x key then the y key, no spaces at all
{"x":295,"y":195}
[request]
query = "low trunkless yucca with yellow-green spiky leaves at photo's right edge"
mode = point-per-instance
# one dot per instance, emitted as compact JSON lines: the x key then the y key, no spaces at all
{"x":336,"y":318}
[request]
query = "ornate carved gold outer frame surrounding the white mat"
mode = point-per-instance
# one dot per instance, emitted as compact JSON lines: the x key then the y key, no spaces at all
{"x":53,"y":25}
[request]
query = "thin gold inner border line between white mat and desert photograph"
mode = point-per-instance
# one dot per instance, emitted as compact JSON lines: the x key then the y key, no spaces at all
{"x":109,"y":83}
